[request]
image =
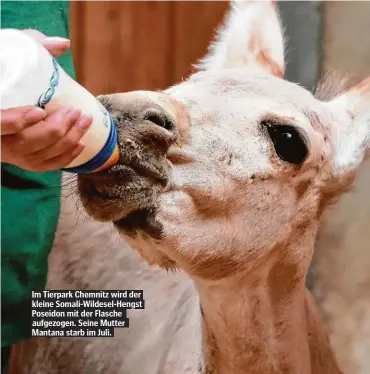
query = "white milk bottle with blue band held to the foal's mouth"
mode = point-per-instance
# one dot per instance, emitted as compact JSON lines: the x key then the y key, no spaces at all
{"x":29,"y":75}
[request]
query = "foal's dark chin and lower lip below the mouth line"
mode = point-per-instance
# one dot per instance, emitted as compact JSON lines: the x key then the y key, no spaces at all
{"x":125,"y":198}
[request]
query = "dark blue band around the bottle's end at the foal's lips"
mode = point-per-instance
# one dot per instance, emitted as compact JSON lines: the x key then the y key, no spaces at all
{"x":102,"y":157}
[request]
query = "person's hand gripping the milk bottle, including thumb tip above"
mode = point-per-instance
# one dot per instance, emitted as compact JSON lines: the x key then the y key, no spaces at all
{"x":36,"y":142}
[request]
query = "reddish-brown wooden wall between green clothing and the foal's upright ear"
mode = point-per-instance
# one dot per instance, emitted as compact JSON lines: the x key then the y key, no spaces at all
{"x":129,"y":45}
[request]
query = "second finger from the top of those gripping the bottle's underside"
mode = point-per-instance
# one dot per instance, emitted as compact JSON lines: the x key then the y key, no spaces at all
{"x":45,"y":133}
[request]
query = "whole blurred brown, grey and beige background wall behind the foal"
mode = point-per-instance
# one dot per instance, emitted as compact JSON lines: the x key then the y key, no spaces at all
{"x":122,"y":45}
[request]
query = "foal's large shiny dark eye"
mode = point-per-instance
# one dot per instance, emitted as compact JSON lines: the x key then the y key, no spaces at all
{"x":289,"y":144}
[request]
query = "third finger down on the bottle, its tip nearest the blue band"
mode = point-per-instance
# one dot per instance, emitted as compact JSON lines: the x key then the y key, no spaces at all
{"x":69,"y":141}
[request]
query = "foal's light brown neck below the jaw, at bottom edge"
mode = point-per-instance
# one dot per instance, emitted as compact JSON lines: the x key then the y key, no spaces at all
{"x":264,"y":323}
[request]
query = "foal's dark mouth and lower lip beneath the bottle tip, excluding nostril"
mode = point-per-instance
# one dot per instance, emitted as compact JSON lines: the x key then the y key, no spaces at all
{"x":126,"y":194}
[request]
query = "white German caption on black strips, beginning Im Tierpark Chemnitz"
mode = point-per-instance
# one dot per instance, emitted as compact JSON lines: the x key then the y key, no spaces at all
{"x":82,"y":313}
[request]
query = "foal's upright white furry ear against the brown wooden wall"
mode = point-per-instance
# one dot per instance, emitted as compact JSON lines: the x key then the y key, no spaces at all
{"x":250,"y":37}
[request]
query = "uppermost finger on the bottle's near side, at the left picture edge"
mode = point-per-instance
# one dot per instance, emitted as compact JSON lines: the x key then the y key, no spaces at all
{"x":15,"y":120}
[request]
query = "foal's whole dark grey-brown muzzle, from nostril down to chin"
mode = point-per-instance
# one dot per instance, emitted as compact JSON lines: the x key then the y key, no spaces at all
{"x":126,"y":194}
